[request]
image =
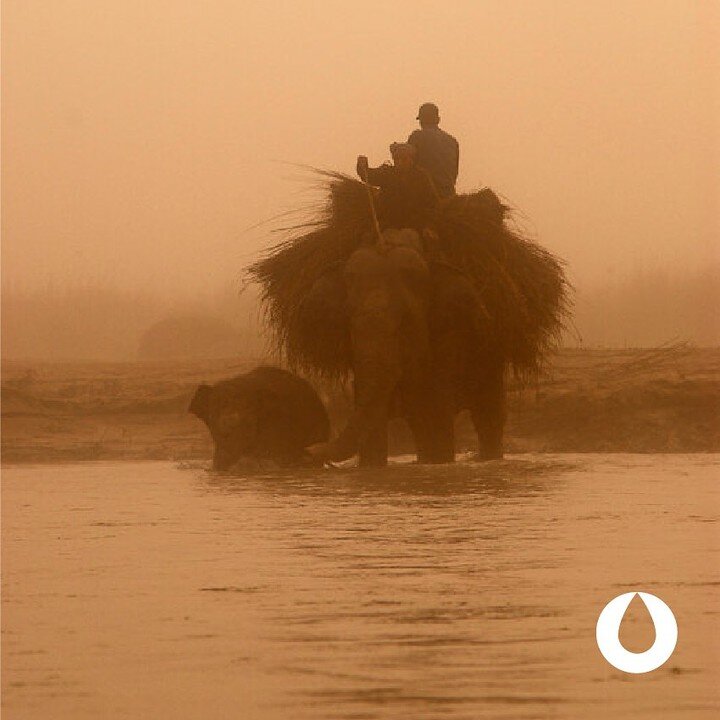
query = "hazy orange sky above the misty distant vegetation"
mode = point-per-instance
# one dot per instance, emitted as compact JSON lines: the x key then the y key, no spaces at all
{"x":141,"y":138}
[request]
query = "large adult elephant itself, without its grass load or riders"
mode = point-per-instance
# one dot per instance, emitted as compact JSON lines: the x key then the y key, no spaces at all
{"x":419,"y":350}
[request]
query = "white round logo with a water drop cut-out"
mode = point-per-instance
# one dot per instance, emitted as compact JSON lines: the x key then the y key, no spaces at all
{"x":608,"y":634}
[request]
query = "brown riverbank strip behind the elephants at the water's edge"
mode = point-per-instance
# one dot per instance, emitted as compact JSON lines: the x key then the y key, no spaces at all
{"x":658,"y":400}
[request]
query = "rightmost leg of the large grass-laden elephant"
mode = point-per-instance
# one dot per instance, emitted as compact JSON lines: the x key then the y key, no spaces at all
{"x":488,"y":411}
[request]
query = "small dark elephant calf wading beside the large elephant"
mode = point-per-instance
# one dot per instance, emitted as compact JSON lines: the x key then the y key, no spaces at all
{"x":265,"y":414}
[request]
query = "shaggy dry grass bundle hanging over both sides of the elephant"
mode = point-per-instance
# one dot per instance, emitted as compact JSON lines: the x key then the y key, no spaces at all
{"x":522,"y":286}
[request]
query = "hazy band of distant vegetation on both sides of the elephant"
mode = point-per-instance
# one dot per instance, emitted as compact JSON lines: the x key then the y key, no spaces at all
{"x":94,"y":322}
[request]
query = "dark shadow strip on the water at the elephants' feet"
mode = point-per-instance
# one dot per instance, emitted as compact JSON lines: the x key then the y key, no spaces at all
{"x":512,"y":477}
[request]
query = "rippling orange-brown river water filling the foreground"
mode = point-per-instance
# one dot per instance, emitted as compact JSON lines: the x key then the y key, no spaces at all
{"x":467,"y":591}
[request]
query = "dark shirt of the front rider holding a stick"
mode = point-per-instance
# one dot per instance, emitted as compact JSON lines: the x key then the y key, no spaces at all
{"x":406,"y":199}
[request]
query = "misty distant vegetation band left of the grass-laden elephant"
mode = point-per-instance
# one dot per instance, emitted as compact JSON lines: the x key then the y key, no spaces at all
{"x":91,"y":322}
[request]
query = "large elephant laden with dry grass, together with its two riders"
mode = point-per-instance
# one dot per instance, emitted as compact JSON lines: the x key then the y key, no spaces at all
{"x":425,"y":329}
